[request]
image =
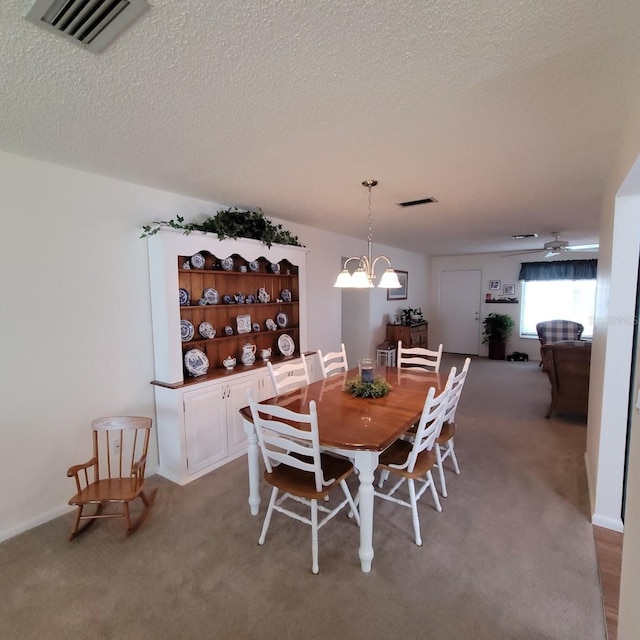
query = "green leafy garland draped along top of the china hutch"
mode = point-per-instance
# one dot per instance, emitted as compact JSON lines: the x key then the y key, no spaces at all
{"x":231,"y":223}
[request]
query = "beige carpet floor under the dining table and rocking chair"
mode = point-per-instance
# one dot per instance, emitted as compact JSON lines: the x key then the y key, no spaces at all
{"x":511,"y":556}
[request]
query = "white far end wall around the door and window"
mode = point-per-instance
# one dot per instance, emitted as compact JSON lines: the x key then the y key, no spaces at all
{"x":493,"y":267}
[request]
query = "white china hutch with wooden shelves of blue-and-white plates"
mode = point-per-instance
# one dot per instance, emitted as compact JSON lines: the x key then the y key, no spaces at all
{"x":258,"y":297}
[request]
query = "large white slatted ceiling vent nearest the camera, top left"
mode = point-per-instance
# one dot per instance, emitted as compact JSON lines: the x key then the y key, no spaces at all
{"x":92,"y":24}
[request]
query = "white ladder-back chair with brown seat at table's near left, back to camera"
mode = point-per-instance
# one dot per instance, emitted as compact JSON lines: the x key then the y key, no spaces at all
{"x":295,"y":467}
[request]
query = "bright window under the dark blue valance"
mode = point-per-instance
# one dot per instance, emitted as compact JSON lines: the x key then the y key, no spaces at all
{"x":562,"y":299}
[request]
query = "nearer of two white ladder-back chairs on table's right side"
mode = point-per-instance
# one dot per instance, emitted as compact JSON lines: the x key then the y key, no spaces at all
{"x":413,"y":460}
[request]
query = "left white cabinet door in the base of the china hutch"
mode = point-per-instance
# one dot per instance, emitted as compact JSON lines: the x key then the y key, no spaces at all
{"x":205,"y":427}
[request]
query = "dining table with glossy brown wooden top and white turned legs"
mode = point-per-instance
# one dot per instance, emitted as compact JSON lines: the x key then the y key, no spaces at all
{"x":359,"y":428}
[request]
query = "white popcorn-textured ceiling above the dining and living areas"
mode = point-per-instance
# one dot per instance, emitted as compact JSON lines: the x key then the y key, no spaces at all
{"x":508,"y":112}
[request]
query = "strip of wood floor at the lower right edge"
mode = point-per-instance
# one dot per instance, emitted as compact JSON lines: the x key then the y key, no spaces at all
{"x":609,"y":553}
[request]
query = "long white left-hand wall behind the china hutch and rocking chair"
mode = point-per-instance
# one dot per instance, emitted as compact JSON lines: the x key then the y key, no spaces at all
{"x":76,"y":319}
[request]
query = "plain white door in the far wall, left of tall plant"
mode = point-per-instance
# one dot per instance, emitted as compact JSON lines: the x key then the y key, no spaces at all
{"x":460,"y":293}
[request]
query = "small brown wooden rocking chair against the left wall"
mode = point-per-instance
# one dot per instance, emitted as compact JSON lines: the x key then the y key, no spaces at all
{"x":119,"y":458}
